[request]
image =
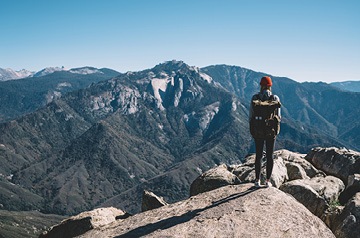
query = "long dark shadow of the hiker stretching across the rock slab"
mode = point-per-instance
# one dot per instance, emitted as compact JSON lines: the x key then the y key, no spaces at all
{"x":173,"y":221}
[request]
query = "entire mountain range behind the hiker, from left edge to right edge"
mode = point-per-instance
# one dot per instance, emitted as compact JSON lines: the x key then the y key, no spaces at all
{"x":104,"y":140}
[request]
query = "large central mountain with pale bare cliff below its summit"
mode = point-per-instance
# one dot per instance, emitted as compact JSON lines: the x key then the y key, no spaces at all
{"x":112,"y":143}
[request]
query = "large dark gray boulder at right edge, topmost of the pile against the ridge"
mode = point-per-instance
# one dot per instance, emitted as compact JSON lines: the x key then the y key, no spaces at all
{"x":334,"y":161}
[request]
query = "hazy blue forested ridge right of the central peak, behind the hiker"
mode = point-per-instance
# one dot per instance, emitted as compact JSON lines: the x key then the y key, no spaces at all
{"x":309,"y":108}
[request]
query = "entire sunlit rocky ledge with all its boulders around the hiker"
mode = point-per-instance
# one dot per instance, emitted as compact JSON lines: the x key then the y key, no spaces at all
{"x":314,"y":195}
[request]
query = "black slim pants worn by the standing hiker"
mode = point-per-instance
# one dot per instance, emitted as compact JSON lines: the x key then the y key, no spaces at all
{"x":259,"y":145}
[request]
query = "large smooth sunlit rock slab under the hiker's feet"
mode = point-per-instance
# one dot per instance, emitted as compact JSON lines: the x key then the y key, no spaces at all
{"x":230,"y":211}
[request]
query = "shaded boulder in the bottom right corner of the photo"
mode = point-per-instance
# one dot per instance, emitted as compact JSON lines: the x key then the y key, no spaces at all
{"x":348,"y":223}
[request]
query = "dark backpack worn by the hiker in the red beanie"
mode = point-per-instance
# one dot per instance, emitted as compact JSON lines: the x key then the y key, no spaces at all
{"x":265,"y":124}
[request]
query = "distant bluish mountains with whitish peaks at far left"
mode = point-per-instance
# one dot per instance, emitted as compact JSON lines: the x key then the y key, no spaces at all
{"x":26,"y":95}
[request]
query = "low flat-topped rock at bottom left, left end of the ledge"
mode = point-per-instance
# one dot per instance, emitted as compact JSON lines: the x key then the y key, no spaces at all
{"x":83,"y":222}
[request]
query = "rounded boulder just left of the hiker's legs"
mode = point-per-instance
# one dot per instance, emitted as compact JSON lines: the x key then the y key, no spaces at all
{"x":212,"y":179}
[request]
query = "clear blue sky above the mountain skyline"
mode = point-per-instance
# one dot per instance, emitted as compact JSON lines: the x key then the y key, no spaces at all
{"x":306,"y":40}
